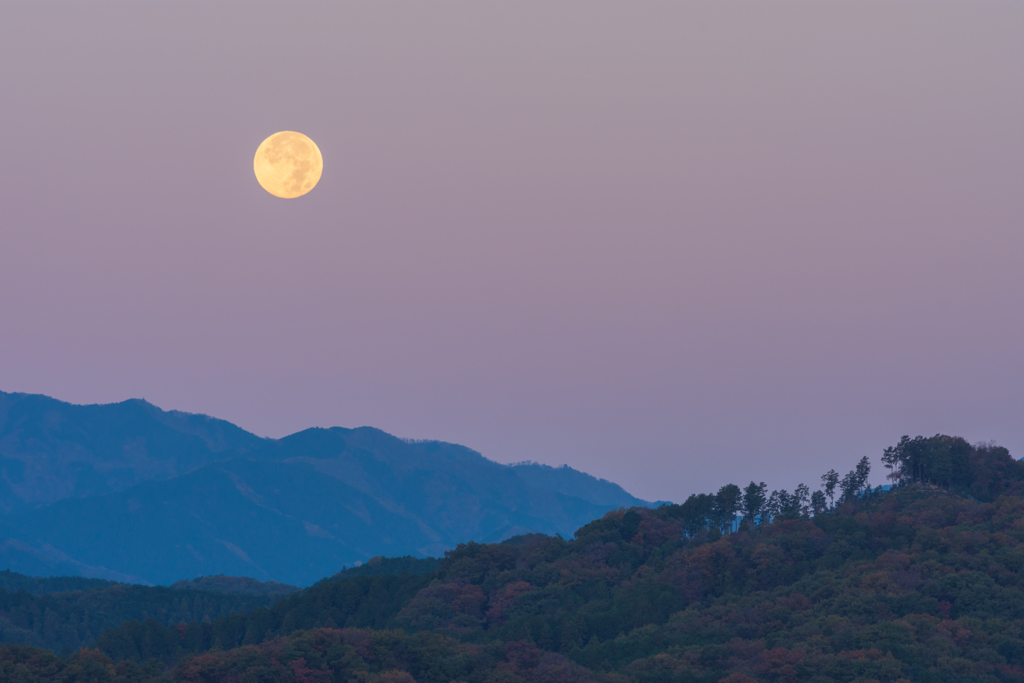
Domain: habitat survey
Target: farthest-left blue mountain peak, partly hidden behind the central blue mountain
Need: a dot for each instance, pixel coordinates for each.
(51, 450)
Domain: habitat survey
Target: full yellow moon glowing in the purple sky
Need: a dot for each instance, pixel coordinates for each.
(288, 164)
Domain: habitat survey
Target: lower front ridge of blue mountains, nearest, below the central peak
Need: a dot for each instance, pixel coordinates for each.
(241, 518)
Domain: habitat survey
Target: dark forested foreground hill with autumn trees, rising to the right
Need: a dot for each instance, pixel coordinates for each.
(922, 583)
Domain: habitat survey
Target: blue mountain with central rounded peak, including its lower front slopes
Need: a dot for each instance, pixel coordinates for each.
(297, 520)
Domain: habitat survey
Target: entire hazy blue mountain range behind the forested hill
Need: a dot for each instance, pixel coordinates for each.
(129, 492)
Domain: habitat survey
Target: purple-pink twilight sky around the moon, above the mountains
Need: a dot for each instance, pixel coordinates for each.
(671, 244)
